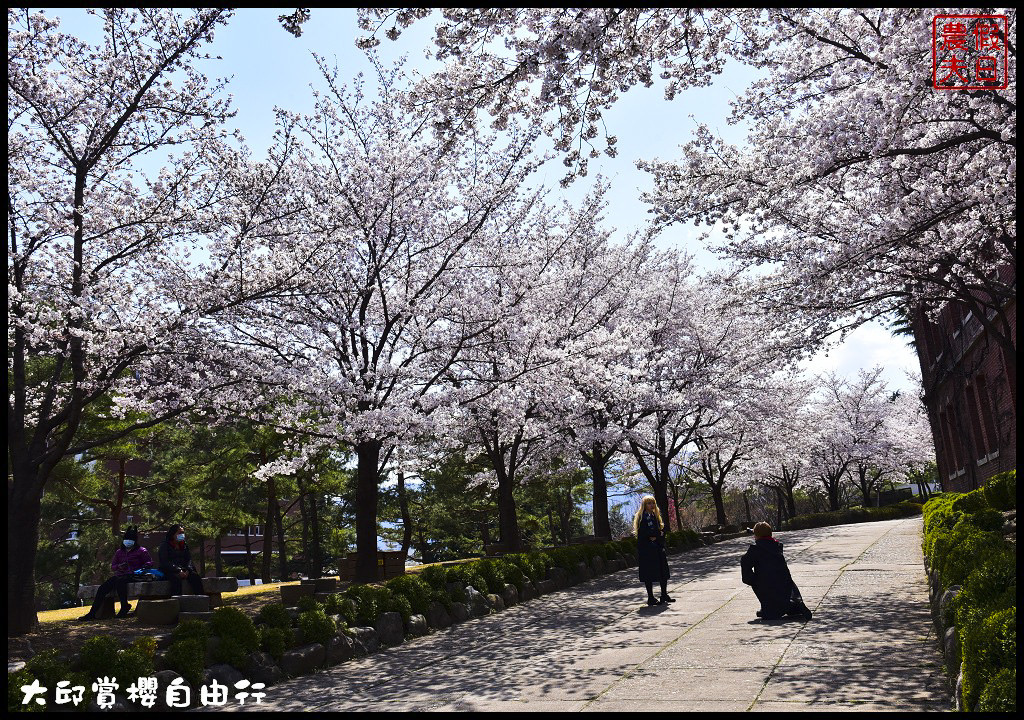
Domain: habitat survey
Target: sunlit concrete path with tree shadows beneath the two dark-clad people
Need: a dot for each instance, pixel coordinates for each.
(596, 647)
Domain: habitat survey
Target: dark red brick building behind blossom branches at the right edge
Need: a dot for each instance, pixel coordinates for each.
(971, 393)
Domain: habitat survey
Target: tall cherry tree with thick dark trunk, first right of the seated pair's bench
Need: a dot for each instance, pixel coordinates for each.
(394, 299)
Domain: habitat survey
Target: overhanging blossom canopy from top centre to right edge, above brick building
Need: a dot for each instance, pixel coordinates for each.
(861, 190)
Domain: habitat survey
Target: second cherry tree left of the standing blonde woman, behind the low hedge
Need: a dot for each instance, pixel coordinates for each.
(551, 282)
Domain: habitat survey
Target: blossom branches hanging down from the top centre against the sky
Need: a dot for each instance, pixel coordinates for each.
(567, 66)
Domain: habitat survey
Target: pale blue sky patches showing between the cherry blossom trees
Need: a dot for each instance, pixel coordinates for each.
(270, 68)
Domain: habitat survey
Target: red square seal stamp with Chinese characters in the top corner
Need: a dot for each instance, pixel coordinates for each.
(970, 53)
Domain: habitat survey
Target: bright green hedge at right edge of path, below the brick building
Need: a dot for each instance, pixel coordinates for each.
(965, 547)
